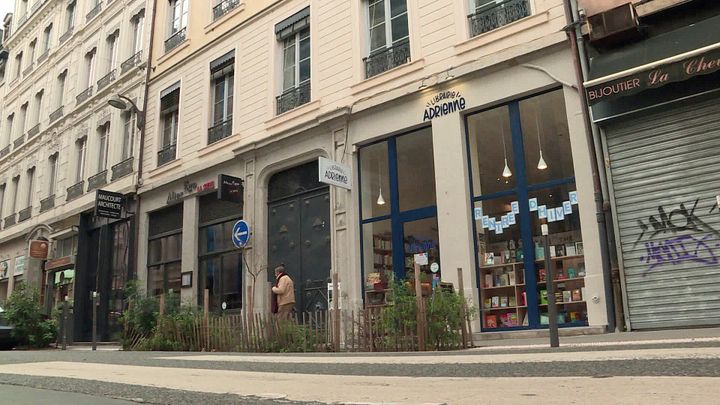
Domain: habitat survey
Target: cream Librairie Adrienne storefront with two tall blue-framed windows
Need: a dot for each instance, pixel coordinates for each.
(466, 174)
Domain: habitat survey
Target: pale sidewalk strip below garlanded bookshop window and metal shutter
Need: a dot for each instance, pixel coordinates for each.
(609, 339)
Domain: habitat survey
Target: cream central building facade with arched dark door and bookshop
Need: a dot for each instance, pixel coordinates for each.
(460, 123)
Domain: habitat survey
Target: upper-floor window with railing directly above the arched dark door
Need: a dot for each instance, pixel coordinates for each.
(294, 34)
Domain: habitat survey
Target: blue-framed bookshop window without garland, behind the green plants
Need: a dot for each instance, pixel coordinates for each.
(399, 213)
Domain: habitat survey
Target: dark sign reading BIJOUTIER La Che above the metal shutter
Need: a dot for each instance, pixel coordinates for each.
(706, 63)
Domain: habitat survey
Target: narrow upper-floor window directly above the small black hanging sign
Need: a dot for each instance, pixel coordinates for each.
(222, 71)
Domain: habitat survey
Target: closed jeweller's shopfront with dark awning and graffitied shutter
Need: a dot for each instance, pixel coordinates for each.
(653, 89)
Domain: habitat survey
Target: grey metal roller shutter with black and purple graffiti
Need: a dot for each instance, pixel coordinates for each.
(665, 169)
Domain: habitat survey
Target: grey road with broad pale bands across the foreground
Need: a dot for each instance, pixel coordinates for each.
(669, 371)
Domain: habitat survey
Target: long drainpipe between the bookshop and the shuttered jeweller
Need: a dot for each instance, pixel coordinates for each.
(592, 133)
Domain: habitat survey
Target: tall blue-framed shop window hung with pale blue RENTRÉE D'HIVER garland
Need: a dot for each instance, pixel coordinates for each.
(522, 177)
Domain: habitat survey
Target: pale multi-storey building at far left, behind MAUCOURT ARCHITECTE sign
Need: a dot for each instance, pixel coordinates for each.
(61, 142)
